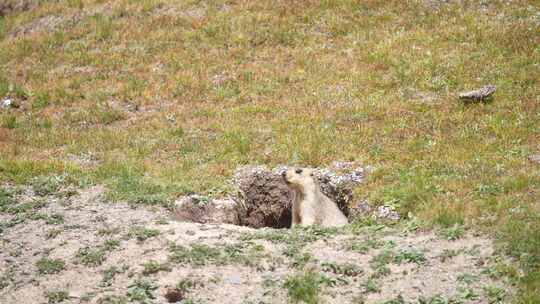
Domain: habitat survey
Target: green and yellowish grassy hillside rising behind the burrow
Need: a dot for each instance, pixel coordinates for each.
(156, 98)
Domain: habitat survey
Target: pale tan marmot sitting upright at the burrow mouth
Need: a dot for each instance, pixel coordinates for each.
(310, 205)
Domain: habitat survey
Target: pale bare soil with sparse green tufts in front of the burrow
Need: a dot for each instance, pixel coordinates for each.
(83, 249)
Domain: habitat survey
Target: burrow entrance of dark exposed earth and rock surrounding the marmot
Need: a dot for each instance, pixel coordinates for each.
(263, 199)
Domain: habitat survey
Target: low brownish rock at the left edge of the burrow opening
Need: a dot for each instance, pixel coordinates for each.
(199, 209)
